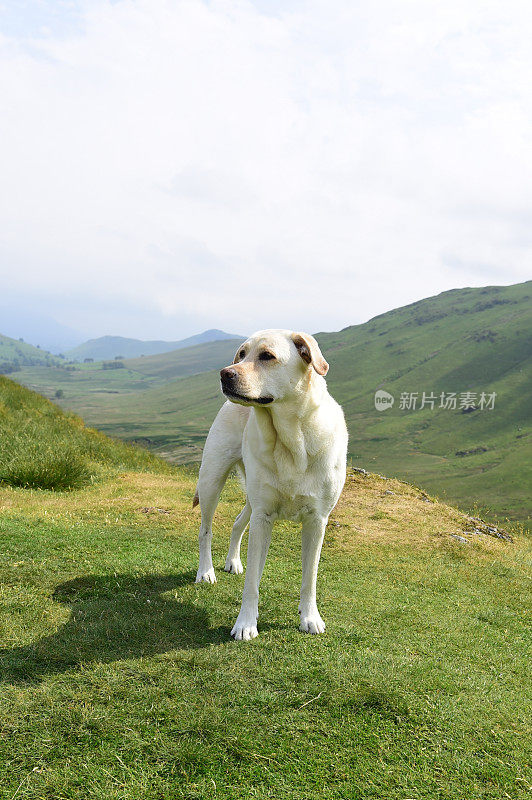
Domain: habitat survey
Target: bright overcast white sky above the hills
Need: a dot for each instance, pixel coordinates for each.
(174, 165)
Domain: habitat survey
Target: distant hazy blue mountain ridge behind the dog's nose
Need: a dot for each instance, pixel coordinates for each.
(109, 347)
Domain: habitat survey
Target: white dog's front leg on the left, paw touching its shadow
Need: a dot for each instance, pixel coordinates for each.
(260, 534)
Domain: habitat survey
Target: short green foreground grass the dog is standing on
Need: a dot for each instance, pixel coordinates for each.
(119, 679)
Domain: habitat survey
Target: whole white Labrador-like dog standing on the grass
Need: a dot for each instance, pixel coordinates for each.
(287, 438)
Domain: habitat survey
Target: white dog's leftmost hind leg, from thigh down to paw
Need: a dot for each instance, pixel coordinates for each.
(223, 449)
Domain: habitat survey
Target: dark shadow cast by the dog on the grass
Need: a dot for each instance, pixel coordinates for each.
(113, 617)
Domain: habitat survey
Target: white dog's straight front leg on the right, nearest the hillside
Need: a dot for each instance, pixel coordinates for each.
(311, 541)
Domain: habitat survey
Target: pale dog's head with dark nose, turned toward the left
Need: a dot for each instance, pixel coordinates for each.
(272, 365)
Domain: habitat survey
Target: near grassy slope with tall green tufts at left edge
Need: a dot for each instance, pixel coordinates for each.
(42, 447)
